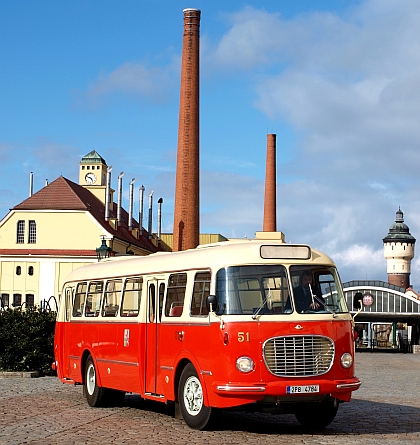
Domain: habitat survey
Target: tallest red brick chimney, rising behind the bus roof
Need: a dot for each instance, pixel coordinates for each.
(187, 208)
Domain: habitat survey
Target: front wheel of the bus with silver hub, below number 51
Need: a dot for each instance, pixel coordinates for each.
(191, 399)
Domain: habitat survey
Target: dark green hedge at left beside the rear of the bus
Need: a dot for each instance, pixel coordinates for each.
(27, 340)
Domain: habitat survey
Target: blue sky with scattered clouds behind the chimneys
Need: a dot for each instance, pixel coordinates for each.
(337, 81)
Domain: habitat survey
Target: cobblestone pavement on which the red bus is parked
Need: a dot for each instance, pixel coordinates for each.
(385, 410)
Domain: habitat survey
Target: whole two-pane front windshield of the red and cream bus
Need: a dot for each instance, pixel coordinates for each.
(266, 289)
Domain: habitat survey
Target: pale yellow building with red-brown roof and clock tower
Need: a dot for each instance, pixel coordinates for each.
(58, 229)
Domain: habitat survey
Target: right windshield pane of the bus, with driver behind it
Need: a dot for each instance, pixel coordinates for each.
(317, 289)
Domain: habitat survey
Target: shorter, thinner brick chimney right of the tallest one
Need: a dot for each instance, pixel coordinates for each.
(270, 221)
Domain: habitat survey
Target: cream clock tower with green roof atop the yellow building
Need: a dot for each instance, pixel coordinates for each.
(92, 174)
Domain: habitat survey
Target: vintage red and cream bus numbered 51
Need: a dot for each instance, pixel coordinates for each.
(232, 325)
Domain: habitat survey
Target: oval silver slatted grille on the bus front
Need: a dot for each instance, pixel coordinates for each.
(297, 356)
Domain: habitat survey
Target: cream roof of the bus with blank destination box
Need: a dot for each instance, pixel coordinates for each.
(207, 256)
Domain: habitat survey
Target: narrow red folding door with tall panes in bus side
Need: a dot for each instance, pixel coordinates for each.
(155, 294)
